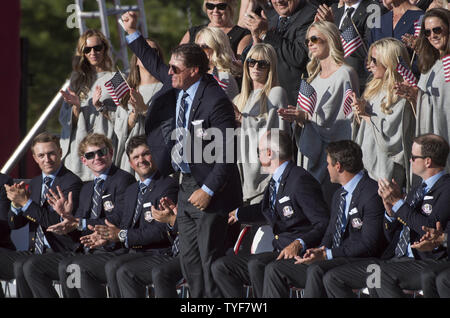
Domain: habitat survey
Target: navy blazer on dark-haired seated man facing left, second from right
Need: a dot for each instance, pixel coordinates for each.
(366, 208)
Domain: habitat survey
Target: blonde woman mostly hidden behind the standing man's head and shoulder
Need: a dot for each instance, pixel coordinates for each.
(217, 48)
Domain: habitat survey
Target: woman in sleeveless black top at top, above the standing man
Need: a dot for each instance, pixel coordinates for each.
(221, 15)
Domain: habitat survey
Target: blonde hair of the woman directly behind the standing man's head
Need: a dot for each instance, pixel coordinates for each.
(222, 56)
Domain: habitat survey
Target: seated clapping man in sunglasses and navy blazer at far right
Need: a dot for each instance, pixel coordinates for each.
(403, 260)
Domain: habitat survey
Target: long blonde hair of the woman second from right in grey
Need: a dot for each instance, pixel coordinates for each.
(388, 51)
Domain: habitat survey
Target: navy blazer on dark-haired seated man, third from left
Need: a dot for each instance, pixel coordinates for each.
(146, 233)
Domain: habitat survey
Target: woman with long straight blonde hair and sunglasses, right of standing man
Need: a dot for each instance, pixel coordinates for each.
(256, 109)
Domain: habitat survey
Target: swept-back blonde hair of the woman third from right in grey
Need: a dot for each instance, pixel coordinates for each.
(332, 36)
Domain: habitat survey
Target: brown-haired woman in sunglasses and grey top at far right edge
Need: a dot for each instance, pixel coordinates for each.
(432, 94)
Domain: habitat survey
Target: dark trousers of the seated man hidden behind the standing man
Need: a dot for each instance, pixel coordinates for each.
(161, 270)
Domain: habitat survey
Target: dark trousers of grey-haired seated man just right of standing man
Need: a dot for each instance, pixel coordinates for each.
(232, 272)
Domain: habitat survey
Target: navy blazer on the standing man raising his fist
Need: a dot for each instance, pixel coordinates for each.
(211, 108)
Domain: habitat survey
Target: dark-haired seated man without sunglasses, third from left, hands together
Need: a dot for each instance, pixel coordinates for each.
(130, 224)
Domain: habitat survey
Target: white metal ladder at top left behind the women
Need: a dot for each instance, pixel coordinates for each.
(121, 53)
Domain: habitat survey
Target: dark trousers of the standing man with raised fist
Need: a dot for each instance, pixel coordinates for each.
(202, 237)
